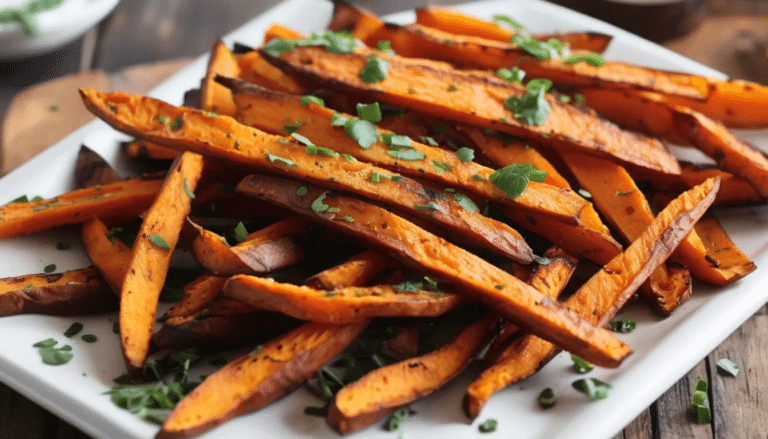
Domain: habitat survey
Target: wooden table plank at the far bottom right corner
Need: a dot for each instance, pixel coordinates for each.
(739, 404)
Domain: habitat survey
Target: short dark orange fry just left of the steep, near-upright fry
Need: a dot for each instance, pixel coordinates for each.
(107, 252)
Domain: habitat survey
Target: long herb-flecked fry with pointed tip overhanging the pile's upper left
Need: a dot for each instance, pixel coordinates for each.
(223, 137)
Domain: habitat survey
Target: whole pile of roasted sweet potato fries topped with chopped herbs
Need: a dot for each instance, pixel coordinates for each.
(389, 137)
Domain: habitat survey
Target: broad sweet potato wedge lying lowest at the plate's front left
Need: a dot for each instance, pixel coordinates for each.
(256, 379)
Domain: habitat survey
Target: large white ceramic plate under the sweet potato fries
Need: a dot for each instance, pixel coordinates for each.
(665, 350)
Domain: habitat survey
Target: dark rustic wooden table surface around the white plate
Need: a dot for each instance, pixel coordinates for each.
(148, 31)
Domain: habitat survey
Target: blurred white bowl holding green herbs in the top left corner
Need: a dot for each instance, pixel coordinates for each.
(56, 27)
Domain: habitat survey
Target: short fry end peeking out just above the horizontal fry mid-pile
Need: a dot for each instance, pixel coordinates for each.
(359, 270)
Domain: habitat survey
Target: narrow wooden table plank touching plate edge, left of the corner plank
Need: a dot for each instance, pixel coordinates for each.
(673, 415)
